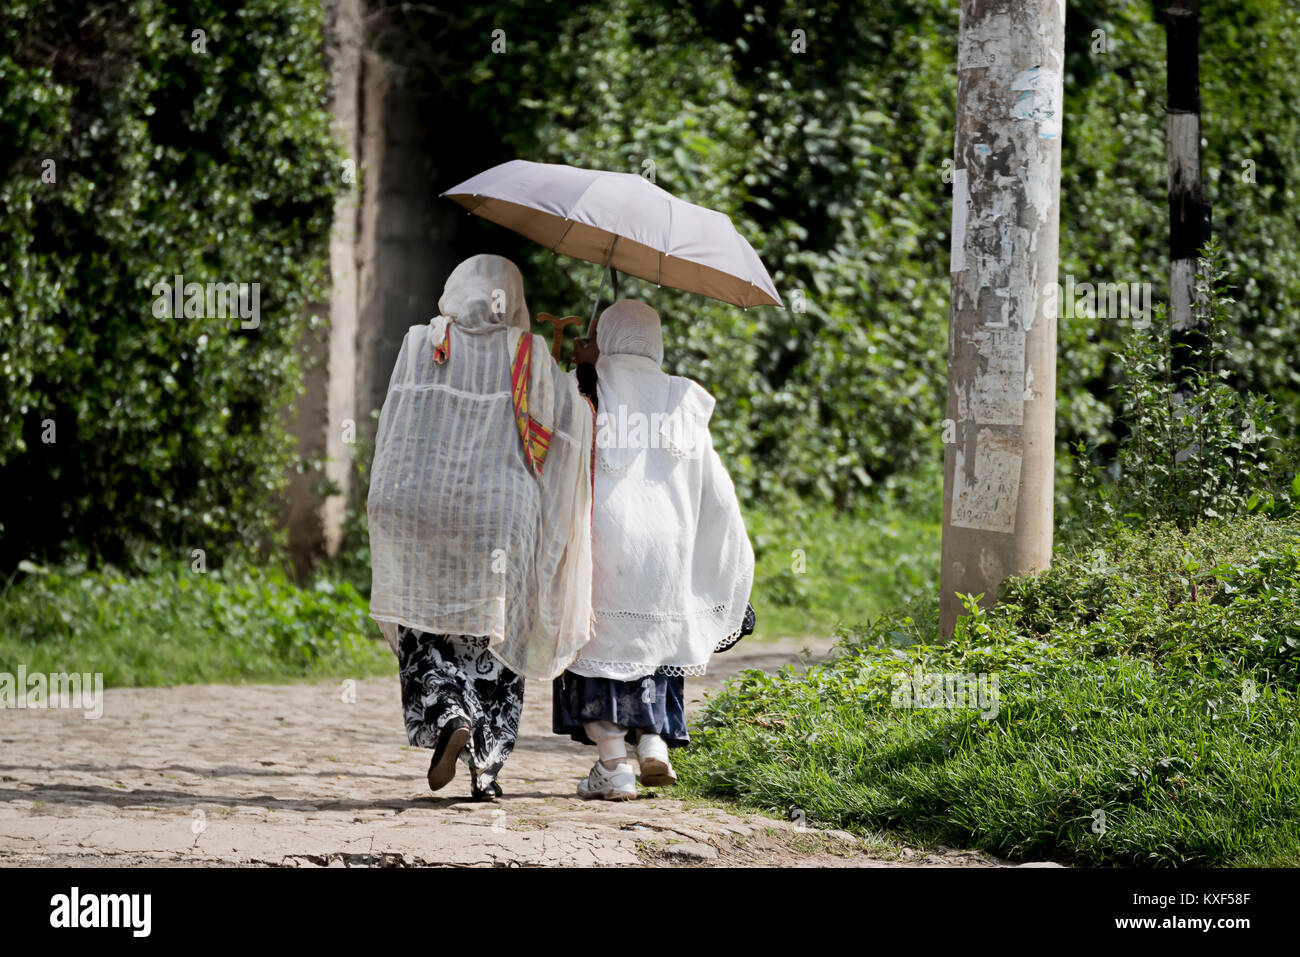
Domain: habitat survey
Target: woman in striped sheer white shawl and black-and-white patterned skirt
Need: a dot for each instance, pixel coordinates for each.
(480, 521)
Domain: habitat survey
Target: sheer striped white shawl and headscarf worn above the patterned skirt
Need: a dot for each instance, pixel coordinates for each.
(465, 538)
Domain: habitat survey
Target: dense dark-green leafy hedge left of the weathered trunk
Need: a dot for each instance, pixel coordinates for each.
(174, 154)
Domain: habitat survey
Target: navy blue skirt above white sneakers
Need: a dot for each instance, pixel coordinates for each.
(653, 704)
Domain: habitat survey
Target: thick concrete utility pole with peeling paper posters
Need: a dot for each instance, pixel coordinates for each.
(1000, 432)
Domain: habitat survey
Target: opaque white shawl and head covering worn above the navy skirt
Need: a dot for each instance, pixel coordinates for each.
(671, 561)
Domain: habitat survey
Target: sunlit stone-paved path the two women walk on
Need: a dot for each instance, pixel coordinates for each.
(296, 776)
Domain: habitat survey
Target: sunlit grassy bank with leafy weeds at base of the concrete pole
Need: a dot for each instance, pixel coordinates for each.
(1147, 714)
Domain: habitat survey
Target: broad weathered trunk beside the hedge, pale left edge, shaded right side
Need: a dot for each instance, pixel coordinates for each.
(393, 245)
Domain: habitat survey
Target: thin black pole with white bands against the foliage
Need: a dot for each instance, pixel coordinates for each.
(1189, 213)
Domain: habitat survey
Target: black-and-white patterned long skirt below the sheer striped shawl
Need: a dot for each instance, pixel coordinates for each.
(447, 677)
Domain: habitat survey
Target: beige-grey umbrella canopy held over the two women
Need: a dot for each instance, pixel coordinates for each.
(623, 222)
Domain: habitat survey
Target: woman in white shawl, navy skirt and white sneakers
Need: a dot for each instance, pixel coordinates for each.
(673, 566)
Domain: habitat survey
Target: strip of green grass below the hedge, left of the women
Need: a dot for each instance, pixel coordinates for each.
(174, 626)
